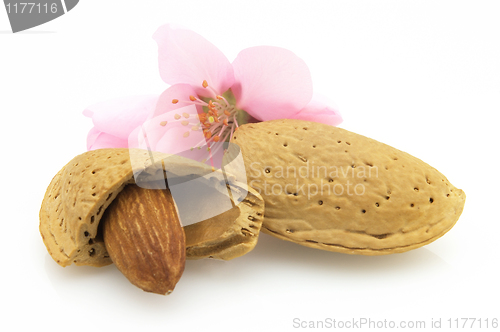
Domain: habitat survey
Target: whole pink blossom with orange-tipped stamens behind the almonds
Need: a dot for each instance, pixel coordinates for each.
(209, 96)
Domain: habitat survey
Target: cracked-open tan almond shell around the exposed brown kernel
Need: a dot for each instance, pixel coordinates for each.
(80, 193)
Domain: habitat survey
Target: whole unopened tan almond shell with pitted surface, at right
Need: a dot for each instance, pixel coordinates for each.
(405, 204)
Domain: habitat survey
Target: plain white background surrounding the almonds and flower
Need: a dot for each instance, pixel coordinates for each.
(422, 76)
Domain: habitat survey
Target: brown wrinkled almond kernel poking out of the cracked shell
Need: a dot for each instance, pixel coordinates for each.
(144, 238)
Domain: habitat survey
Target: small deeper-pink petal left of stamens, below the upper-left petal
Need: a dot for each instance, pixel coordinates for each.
(181, 92)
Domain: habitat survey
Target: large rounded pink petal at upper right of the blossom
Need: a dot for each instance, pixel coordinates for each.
(271, 82)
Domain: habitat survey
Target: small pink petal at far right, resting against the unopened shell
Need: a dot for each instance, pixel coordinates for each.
(320, 109)
